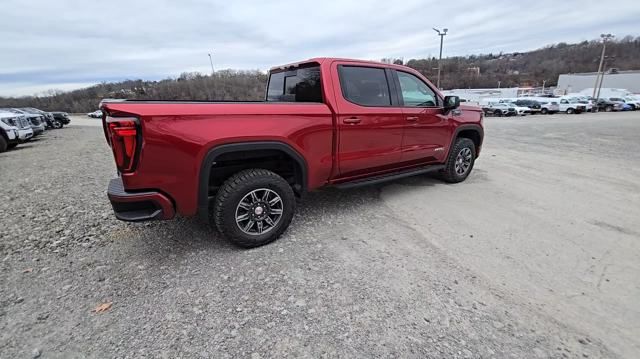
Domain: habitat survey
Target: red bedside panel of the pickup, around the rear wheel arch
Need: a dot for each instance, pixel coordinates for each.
(177, 137)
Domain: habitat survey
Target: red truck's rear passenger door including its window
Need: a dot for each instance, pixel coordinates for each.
(370, 129)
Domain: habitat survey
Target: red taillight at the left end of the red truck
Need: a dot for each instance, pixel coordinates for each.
(123, 133)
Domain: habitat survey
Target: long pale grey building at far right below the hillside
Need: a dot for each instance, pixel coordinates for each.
(571, 83)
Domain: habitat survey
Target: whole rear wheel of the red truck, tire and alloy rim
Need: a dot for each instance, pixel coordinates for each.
(254, 207)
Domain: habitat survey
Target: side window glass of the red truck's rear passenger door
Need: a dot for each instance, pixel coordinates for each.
(365, 86)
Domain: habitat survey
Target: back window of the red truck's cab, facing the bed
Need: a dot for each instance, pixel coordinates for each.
(297, 85)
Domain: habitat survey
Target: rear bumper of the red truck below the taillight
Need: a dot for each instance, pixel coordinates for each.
(138, 206)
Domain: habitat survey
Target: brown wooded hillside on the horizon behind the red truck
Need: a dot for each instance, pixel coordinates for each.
(474, 71)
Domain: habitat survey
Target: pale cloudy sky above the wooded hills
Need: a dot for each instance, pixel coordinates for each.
(65, 45)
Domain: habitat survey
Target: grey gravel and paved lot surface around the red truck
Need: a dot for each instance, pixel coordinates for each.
(536, 255)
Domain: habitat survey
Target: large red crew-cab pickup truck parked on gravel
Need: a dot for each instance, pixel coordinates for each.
(324, 122)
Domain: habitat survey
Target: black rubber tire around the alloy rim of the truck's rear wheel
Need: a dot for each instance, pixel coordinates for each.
(234, 190)
